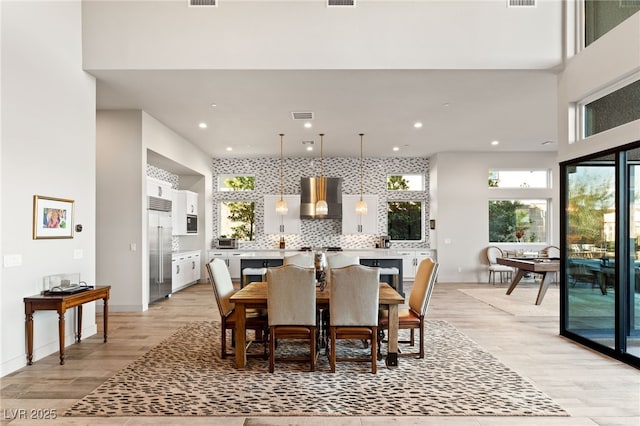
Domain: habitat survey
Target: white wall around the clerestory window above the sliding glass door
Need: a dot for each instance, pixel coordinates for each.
(585, 75)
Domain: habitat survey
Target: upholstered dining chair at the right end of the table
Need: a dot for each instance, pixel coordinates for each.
(412, 318)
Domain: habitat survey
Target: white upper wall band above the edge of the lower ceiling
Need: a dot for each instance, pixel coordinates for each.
(393, 34)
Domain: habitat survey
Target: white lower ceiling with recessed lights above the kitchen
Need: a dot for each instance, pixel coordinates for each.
(460, 110)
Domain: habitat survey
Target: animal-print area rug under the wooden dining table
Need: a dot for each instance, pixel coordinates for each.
(185, 376)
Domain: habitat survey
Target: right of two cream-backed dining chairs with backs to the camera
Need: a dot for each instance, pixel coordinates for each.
(353, 310)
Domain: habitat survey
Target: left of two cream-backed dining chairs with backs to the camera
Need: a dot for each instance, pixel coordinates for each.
(291, 302)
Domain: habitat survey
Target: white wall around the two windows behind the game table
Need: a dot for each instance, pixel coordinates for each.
(461, 210)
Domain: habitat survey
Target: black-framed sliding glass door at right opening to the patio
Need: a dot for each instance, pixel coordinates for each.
(600, 300)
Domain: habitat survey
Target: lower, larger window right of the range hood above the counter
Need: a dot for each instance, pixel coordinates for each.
(404, 220)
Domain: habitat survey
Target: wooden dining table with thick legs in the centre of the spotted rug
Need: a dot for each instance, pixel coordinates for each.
(254, 295)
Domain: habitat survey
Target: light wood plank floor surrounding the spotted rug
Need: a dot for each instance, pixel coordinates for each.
(593, 389)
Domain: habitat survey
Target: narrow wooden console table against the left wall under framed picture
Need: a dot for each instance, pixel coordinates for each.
(61, 303)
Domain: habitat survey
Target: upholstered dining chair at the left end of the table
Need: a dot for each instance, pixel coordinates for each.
(223, 290)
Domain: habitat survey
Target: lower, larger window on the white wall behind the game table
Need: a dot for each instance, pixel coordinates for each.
(523, 221)
